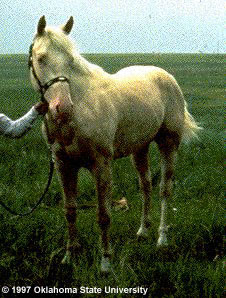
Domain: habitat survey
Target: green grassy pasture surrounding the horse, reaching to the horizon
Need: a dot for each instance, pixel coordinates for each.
(192, 265)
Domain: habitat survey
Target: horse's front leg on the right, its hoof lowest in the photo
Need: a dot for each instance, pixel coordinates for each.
(103, 176)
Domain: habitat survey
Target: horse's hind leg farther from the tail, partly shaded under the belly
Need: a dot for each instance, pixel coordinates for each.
(142, 165)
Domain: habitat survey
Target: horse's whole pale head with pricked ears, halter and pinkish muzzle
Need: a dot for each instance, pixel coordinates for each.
(50, 56)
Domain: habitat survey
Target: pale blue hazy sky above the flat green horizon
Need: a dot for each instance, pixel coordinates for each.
(119, 26)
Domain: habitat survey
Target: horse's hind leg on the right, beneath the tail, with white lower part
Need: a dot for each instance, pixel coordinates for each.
(168, 145)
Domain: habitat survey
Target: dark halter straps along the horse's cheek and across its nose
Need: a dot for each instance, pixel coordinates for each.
(45, 87)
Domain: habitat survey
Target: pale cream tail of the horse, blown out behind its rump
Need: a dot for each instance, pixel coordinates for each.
(191, 128)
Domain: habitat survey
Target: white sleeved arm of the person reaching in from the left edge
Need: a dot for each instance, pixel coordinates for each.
(19, 127)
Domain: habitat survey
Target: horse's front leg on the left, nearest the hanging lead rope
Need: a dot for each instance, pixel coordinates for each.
(68, 175)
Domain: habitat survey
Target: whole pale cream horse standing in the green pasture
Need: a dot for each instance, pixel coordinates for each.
(95, 117)
